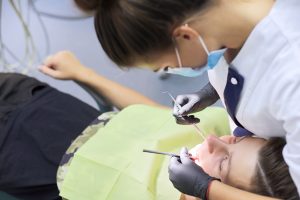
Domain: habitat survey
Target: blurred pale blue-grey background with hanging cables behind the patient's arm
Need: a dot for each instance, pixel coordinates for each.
(30, 30)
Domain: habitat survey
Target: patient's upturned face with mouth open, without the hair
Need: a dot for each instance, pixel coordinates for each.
(231, 159)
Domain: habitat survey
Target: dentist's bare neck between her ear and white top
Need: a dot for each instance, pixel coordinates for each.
(230, 23)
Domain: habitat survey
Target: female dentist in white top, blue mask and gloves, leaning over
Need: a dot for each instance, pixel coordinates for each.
(259, 87)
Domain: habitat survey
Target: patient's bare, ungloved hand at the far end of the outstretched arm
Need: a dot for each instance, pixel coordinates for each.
(65, 66)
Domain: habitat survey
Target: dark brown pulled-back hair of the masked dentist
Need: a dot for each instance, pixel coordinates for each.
(129, 30)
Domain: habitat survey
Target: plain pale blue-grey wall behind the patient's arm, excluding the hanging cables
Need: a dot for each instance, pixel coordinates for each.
(79, 37)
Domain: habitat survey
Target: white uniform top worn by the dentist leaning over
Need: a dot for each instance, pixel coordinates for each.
(269, 61)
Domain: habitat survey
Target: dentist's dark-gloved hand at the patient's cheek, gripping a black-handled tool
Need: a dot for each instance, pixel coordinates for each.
(188, 177)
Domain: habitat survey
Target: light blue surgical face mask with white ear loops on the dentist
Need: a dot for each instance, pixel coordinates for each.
(212, 61)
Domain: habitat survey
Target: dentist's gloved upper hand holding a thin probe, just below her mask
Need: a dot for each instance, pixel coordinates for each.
(191, 103)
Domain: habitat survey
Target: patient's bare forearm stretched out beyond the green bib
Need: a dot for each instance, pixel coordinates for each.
(118, 95)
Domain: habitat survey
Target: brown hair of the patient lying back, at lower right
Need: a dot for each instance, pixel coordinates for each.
(272, 177)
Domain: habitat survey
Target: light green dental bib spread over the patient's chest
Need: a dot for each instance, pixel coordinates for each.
(112, 166)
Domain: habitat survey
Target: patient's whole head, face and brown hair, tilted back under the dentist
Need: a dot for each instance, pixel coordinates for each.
(249, 163)
